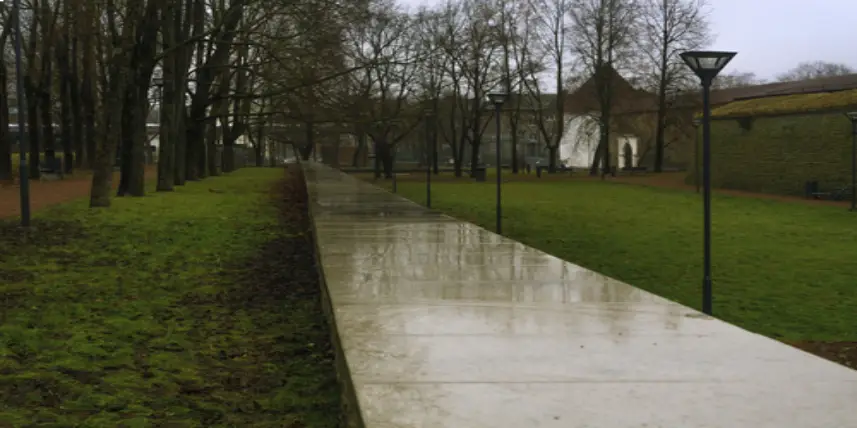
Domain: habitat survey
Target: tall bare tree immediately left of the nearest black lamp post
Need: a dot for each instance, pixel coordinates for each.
(668, 28)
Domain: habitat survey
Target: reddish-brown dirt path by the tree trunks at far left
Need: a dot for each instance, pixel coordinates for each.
(46, 193)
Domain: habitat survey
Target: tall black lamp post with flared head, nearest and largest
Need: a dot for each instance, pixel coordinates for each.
(706, 65)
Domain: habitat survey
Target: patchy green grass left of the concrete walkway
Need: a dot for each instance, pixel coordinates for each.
(197, 308)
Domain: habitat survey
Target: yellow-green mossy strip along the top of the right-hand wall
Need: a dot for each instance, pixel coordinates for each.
(788, 104)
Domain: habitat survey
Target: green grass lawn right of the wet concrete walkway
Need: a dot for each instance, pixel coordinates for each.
(785, 270)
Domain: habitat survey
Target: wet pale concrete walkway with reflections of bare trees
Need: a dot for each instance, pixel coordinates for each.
(444, 324)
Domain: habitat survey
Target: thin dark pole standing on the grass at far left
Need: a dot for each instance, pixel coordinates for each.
(23, 145)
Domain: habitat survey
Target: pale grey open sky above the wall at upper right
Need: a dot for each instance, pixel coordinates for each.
(772, 36)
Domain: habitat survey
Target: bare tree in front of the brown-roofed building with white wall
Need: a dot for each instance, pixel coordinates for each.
(603, 32)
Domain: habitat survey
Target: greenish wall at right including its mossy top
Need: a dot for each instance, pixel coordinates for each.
(776, 144)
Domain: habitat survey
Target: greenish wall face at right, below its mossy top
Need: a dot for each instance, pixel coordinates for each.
(778, 155)
